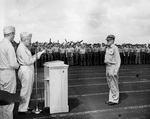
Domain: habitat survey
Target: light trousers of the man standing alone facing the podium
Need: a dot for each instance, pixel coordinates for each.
(112, 81)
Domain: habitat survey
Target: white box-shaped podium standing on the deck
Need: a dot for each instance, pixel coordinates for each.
(56, 86)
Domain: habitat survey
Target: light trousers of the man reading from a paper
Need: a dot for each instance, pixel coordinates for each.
(26, 76)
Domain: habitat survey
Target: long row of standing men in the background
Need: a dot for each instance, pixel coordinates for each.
(88, 54)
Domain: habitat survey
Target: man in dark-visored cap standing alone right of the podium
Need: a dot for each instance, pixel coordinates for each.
(113, 61)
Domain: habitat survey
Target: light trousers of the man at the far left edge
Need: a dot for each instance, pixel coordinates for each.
(7, 83)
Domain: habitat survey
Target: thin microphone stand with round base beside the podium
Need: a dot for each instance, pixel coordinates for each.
(36, 110)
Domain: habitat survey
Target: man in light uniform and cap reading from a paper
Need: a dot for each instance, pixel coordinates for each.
(26, 70)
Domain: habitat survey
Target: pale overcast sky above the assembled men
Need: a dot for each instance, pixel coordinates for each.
(75, 20)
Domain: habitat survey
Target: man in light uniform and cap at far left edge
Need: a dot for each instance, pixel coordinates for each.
(8, 64)
